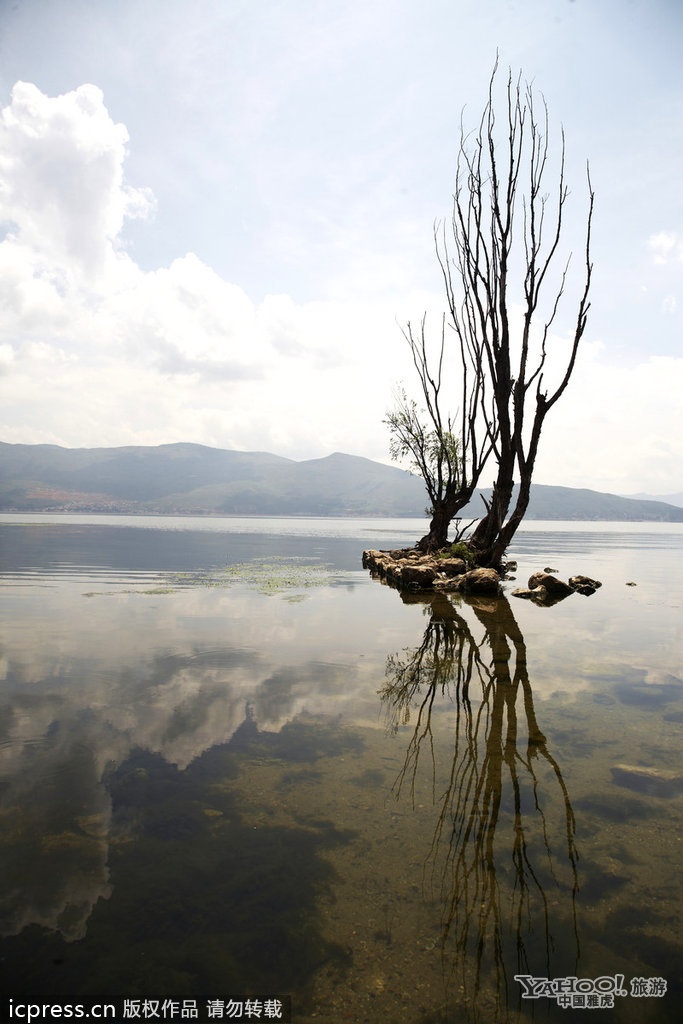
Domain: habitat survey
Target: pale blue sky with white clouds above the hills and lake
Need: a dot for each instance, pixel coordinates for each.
(217, 216)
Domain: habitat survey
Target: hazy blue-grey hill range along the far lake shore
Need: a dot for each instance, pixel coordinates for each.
(193, 480)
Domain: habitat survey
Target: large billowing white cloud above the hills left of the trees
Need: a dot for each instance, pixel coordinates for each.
(96, 351)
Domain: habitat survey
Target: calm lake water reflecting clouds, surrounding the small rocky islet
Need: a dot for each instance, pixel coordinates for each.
(233, 763)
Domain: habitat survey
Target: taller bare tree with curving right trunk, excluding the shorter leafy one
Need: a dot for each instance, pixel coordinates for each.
(506, 251)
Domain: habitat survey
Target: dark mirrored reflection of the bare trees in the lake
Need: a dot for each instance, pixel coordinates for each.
(503, 855)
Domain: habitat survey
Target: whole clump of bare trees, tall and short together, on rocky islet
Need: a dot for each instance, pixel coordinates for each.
(504, 278)
